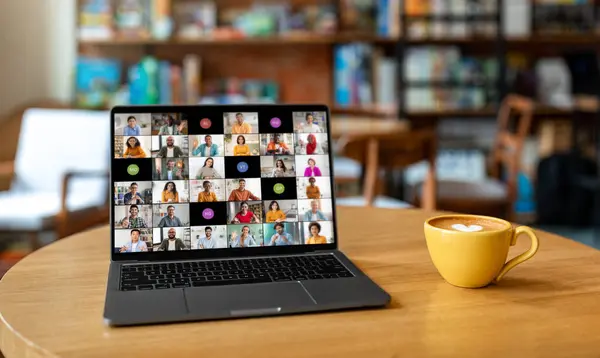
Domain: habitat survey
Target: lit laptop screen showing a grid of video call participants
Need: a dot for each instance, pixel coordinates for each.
(220, 178)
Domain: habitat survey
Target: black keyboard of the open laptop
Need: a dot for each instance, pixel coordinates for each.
(230, 272)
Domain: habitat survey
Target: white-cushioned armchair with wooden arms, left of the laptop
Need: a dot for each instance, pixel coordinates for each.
(59, 177)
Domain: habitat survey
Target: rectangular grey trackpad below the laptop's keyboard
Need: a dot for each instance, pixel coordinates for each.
(244, 300)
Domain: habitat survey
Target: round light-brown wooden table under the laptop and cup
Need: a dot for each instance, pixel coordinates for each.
(51, 305)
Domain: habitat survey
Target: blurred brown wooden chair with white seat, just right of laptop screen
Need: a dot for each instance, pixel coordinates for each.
(384, 152)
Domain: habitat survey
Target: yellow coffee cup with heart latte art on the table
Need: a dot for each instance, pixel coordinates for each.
(471, 250)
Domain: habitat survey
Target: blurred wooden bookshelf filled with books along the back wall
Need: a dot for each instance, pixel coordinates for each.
(428, 59)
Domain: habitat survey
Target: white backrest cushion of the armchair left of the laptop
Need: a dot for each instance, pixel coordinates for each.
(54, 141)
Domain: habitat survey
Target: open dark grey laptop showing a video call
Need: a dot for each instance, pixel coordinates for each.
(225, 212)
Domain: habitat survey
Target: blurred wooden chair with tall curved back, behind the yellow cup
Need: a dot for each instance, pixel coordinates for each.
(496, 195)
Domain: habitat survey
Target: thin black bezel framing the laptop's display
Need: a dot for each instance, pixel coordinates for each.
(225, 252)
